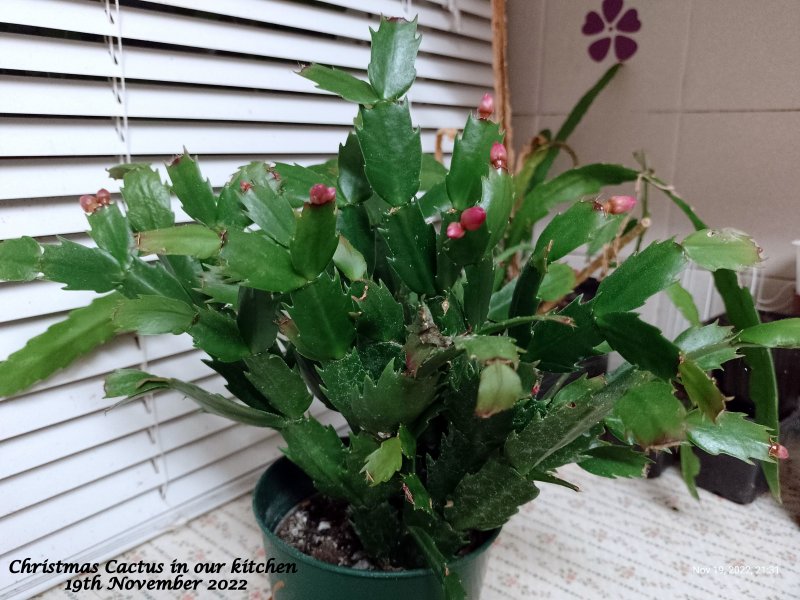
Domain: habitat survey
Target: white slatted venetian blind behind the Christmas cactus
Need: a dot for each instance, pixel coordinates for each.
(85, 84)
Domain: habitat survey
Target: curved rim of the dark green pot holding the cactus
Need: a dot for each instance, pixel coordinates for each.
(349, 571)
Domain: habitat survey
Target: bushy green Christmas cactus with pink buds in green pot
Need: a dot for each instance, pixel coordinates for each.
(415, 310)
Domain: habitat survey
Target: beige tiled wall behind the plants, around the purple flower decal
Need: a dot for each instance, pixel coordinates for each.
(712, 95)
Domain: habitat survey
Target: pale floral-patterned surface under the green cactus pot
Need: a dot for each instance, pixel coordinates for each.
(621, 540)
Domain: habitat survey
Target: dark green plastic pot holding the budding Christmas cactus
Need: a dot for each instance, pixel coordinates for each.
(279, 490)
